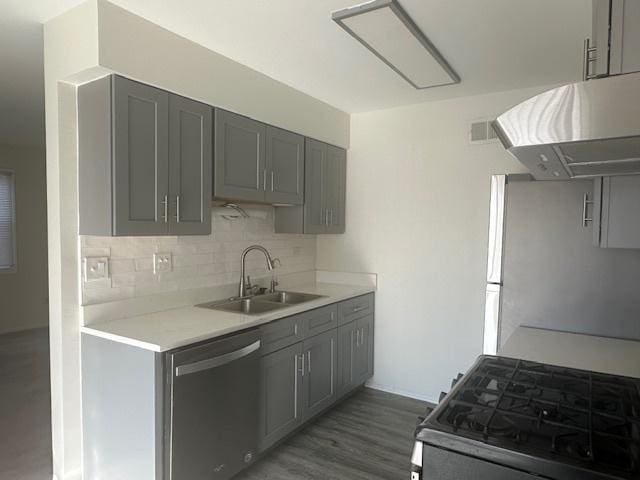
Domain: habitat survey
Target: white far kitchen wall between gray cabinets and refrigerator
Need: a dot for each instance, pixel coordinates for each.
(417, 215)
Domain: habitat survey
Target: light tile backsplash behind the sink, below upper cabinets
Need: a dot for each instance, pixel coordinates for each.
(198, 261)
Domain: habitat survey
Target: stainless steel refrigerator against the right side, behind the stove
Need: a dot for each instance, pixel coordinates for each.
(543, 269)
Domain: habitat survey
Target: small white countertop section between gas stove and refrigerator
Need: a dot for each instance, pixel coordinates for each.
(586, 352)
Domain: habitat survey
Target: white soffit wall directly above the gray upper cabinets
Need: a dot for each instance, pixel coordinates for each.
(144, 51)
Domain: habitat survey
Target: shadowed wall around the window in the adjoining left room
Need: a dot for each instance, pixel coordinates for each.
(23, 293)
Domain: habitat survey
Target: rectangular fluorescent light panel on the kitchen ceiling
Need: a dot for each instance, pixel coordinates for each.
(385, 28)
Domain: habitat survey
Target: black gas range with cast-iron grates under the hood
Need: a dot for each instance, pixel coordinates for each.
(515, 419)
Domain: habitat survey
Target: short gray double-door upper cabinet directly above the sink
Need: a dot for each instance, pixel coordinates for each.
(255, 162)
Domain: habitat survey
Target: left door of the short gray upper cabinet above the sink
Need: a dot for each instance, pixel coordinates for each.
(239, 157)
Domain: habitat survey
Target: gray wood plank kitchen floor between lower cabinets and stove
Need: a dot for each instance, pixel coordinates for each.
(367, 437)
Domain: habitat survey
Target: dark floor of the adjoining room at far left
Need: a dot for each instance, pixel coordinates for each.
(25, 406)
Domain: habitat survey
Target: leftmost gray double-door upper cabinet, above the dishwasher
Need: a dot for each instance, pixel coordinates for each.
(144, 160)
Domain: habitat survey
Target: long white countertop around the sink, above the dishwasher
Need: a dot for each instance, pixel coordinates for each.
(169, 329)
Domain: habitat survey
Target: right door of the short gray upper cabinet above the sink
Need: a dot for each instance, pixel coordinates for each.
(285, 167)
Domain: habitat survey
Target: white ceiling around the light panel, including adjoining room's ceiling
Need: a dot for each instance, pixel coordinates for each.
(494, 45)
